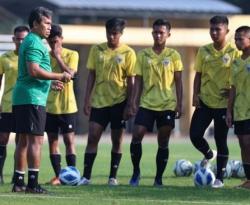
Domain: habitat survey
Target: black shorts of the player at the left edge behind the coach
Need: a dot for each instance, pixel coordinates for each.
(7, 122)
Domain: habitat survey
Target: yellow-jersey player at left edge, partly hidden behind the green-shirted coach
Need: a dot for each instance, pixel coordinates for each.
(8, 68)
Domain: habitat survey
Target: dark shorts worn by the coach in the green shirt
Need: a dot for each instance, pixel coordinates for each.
(30, 119)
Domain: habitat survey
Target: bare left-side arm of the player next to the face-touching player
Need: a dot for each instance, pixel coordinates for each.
(88, 91)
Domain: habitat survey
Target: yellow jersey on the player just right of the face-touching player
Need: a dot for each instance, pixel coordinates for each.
(112, 67)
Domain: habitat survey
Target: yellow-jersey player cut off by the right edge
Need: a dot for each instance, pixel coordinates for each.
(239, 98)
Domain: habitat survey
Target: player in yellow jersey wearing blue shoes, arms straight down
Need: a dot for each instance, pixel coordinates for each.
(158, 73)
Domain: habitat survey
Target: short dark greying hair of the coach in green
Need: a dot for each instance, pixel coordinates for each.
(37, 13)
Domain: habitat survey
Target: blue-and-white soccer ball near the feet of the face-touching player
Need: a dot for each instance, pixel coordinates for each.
(69, 175)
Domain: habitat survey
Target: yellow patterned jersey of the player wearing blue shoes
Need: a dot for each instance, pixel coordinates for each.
(157, 72)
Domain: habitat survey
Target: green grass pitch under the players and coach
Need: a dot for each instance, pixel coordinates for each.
(176, 190)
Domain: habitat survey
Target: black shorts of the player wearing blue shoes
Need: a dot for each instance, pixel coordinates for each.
(146, 118)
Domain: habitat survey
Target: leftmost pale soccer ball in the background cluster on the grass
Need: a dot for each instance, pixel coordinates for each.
(182, 168)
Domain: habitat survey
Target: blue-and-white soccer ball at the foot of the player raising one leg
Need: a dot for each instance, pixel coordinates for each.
(204, 177)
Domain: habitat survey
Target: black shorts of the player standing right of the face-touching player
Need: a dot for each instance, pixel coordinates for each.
(112, 114)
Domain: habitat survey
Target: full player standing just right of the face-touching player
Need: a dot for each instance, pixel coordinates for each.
(110, 81)
